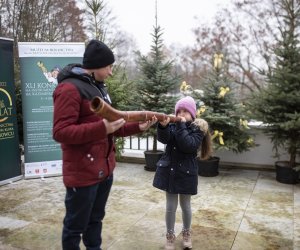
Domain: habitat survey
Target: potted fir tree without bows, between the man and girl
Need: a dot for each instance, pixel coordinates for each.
(154, 90)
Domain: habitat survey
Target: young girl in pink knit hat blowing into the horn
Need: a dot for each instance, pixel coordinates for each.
(177, 170)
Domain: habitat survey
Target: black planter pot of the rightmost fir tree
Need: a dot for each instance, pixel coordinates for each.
(286, 174)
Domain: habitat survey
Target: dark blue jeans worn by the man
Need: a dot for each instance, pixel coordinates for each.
(85, 210)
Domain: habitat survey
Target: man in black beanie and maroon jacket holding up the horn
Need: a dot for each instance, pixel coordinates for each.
(87, 145)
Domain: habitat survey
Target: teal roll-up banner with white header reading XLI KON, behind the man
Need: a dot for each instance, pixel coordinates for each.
(40, 63)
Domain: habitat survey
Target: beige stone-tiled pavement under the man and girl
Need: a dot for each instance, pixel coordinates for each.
(238, 209)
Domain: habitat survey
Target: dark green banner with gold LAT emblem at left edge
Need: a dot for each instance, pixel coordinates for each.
(10, 161)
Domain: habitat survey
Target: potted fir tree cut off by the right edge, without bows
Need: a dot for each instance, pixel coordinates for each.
(278, 104)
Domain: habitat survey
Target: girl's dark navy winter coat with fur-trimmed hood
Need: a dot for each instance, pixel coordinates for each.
(177, 170)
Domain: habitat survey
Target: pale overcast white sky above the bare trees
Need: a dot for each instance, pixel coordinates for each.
(176, 18)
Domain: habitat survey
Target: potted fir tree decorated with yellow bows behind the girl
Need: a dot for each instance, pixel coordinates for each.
(218, 105)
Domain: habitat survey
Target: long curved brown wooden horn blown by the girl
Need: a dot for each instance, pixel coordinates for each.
(106, 111)
